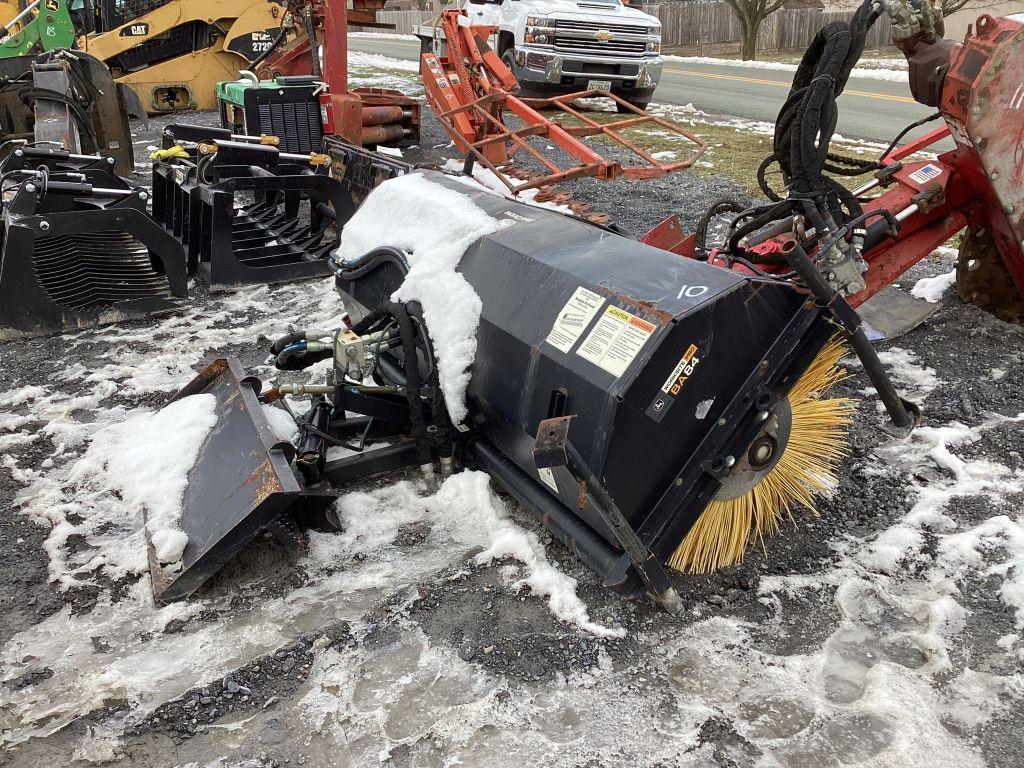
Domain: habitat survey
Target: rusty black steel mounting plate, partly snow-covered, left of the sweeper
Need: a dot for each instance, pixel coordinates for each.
(241, 486)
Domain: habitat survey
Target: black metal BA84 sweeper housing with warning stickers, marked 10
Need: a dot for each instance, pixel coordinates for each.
(669, 366)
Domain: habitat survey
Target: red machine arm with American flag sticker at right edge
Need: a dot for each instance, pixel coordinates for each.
(978, 87)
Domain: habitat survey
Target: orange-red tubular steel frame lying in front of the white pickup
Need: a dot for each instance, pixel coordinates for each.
(471, 91)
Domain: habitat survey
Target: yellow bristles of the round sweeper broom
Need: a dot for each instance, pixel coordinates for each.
(817, 445)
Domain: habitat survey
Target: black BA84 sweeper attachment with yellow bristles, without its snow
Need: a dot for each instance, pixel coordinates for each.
(618, 393)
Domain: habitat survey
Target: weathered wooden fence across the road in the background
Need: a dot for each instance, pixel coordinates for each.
(706, 27)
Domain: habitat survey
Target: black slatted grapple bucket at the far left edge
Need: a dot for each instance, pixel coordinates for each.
(78, 246)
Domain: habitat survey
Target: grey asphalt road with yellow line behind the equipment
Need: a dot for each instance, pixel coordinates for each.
(873, 110)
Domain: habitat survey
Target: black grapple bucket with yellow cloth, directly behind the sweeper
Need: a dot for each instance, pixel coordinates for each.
(247, 212)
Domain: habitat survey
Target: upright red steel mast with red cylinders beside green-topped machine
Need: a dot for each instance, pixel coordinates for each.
(364, 116)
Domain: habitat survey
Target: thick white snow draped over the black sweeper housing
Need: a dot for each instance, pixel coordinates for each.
(394, 215)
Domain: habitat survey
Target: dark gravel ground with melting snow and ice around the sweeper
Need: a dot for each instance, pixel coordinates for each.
(858, 638)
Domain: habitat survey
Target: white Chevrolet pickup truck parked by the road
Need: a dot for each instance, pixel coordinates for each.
(561, 47)
